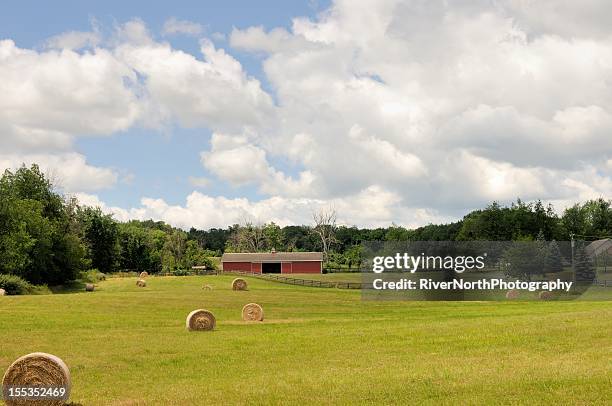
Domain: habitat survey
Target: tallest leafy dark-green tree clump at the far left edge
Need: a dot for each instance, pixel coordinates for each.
(38, 240)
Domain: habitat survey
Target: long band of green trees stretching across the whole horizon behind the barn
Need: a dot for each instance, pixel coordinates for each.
(46, 238)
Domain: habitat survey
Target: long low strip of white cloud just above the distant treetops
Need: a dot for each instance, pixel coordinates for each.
(370, 207)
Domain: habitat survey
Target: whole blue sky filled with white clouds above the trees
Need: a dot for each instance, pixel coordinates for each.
(206, 114)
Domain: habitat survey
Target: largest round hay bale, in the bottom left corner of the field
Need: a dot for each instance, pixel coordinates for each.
(41, 370)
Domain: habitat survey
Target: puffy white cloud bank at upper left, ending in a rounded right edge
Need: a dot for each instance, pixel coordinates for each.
(51, 97)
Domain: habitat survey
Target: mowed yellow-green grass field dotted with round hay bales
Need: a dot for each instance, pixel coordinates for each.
(126, 346)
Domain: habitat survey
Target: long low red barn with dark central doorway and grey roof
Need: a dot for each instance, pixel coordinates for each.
(273, 262)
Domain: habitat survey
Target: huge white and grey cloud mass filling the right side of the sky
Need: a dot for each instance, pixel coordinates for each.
(444, 104)
